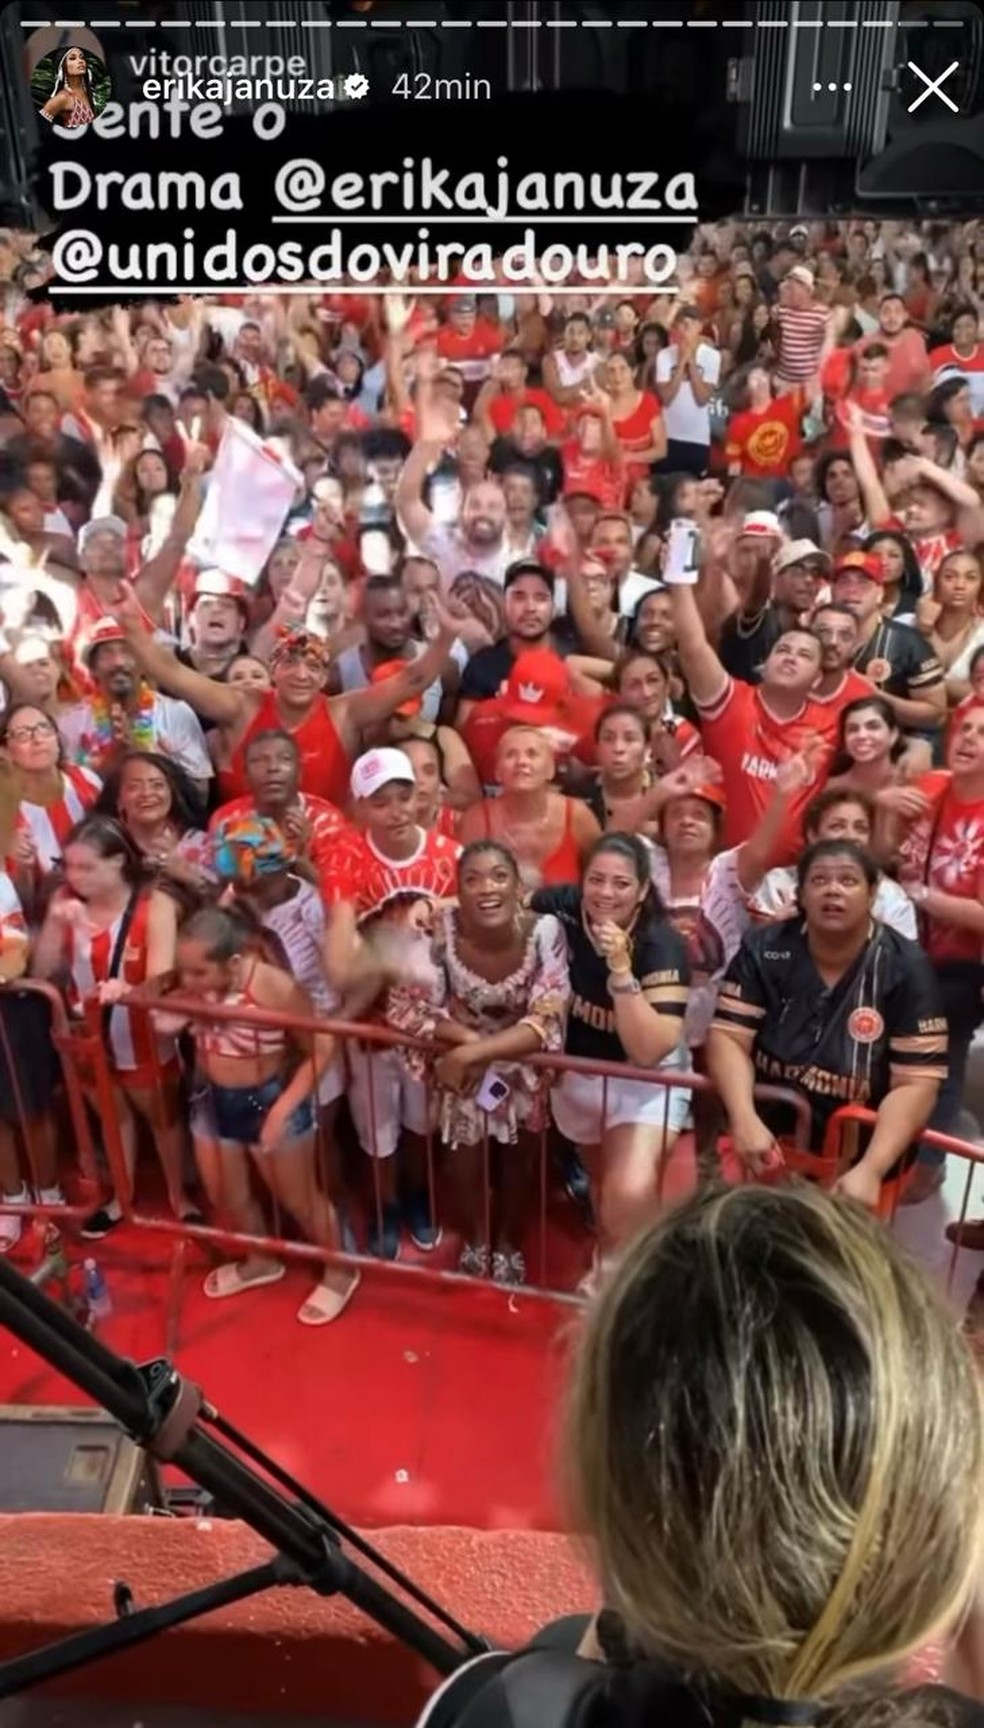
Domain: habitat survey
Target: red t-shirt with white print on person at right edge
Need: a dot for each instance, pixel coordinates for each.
(947, 851)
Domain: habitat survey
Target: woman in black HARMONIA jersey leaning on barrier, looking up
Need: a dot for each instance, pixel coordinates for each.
(838, 1008)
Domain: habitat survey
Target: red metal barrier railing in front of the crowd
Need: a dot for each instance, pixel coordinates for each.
(89, 1074)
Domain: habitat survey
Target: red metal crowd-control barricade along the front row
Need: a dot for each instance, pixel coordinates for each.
(89, 1074)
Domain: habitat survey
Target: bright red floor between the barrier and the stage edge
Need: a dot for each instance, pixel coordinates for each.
(425, 1404)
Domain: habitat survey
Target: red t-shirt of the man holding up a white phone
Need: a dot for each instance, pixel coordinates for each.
(750, 742)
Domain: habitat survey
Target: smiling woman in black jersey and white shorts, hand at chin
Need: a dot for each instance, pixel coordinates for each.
(629, 996)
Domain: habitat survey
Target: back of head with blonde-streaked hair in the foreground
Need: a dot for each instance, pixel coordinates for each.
(777, 1447)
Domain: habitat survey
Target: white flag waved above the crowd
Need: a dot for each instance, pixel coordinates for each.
(252, 490)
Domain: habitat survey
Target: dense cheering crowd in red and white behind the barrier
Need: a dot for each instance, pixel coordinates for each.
(615, 690)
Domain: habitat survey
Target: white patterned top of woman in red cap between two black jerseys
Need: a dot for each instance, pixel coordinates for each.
(712, 925)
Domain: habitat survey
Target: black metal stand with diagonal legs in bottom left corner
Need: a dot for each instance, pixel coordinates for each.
(167, 1416)
